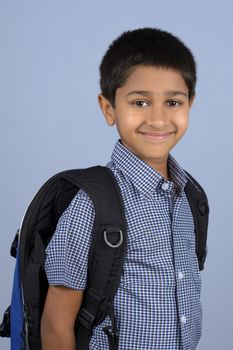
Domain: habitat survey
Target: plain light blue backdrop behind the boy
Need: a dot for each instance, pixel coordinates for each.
(50, 119)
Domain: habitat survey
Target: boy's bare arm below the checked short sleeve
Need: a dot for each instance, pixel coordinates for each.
(57, 324)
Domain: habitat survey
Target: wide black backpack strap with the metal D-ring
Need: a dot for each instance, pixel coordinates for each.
(107, 251)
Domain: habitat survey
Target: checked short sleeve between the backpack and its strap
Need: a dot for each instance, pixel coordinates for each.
(67, 253)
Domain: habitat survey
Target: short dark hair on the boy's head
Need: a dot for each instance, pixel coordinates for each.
(144, 46)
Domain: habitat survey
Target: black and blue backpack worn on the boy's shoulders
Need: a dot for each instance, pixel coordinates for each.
(21, 320)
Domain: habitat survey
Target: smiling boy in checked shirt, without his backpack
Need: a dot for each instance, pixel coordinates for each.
(148, 82)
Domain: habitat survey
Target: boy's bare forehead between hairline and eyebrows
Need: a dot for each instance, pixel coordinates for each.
(155, 79)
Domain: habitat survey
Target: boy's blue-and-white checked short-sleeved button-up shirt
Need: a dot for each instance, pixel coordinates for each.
(157, 305)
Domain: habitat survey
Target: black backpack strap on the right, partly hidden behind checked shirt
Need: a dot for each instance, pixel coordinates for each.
(200, 209)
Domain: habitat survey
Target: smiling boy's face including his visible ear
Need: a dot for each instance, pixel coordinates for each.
(151, 112)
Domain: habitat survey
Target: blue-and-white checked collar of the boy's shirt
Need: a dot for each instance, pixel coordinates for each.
(144, 177)
